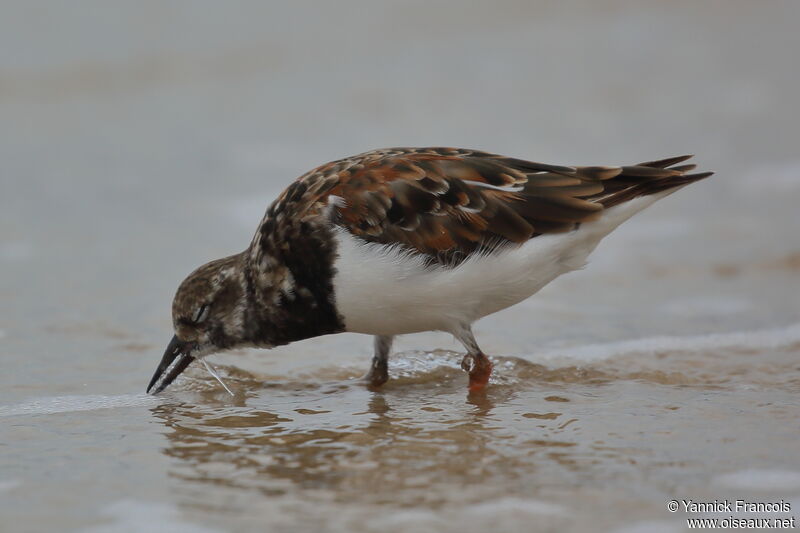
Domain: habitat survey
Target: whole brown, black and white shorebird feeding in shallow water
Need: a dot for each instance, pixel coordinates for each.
(404, 240)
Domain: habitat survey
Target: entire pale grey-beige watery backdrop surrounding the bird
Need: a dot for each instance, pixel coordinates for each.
(141, 139)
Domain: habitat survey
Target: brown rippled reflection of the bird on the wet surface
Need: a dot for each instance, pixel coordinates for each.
(383, 446)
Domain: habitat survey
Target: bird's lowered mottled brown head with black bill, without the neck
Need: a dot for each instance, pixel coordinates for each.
(208, 315)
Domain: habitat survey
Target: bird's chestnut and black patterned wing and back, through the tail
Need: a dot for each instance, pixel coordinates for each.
(447, 203)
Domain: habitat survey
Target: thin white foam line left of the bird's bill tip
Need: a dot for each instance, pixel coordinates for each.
(67, 404)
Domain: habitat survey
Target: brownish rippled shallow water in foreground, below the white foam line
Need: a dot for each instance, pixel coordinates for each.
(599, 444)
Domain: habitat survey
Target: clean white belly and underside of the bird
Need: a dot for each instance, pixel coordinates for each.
(386, 290)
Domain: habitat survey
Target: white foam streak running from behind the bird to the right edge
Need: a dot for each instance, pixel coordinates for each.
(767, 339)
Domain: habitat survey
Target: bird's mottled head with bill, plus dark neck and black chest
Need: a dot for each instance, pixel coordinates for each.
(277, 291)
